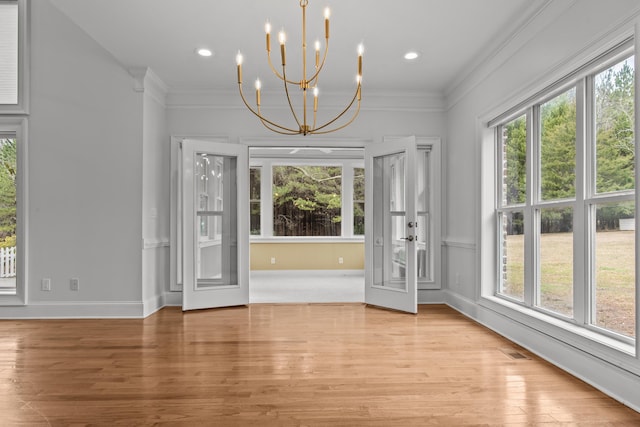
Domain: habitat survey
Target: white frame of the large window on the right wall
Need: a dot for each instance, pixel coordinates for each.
(621, 352)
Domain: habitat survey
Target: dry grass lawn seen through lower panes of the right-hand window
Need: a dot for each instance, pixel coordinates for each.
(614, 291)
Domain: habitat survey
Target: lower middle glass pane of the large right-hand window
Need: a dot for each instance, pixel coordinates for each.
(555, 287)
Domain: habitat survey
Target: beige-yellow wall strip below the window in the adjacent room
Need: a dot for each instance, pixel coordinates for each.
(307, 256)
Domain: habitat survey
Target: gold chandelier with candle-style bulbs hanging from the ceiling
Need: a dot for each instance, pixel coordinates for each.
(304, 124)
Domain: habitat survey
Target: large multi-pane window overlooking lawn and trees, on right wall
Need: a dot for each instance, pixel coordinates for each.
(566, 198)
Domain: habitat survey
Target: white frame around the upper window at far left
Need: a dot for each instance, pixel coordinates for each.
(22, 107)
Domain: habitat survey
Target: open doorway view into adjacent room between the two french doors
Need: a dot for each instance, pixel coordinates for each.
(307, 224)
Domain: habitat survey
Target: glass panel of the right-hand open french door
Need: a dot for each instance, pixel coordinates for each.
(389, 228)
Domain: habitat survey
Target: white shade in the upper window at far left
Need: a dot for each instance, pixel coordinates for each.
(8, 54)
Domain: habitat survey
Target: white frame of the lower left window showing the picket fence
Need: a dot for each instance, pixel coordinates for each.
(17, 128)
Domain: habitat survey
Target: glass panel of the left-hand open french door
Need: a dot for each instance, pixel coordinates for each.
(217, 228)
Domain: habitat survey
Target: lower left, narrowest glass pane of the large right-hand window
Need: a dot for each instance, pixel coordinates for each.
(512, 238)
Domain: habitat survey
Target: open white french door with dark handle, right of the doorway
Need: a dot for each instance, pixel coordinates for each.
(391, 225)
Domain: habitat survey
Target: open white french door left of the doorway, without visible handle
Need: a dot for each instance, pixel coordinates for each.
(215, 224)
